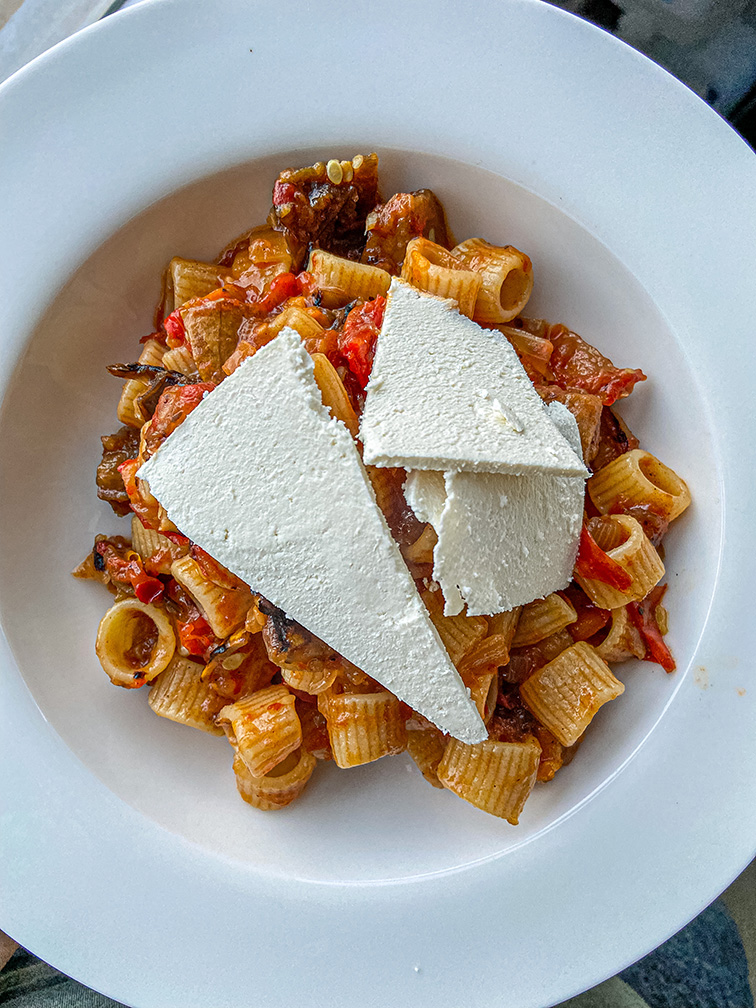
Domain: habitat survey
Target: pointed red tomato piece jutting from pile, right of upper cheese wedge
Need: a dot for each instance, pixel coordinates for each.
(576, 364)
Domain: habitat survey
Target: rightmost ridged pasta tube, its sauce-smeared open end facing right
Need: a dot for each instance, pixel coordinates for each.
(639, 478)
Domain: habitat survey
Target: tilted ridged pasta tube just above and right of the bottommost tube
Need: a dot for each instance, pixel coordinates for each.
(566, 694)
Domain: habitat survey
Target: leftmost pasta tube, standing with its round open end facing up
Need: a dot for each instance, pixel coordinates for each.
(136, 643)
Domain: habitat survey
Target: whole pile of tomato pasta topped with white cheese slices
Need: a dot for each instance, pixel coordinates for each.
(530, 536)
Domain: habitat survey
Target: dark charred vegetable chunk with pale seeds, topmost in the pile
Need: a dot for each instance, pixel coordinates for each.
(326, 206)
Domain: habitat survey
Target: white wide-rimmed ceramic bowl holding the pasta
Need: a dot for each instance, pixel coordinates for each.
(131, 862)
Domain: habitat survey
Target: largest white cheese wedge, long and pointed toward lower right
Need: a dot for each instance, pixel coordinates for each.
(270, 484)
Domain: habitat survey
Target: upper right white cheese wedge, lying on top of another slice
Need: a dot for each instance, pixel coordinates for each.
(447, 395)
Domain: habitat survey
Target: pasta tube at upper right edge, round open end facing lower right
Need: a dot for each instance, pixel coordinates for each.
(507, 280)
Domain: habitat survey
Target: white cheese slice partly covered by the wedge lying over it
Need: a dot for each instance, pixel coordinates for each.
(503, 541)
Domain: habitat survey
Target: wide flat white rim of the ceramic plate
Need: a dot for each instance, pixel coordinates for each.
(550, 919)
